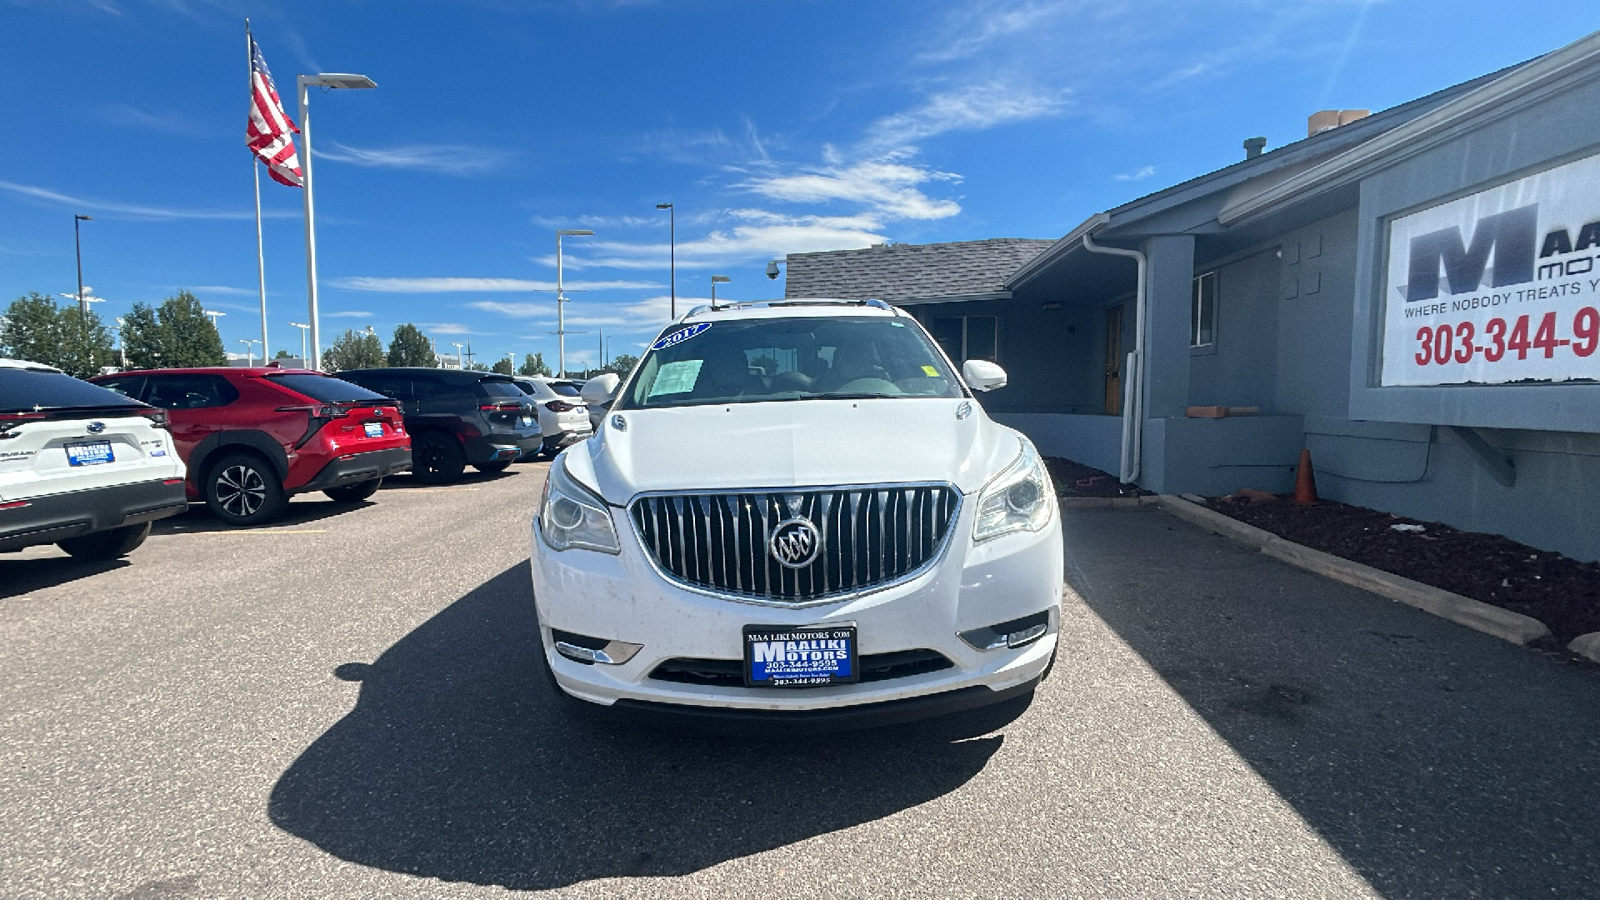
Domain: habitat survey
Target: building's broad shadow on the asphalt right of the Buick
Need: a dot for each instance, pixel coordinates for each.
(1438, 761)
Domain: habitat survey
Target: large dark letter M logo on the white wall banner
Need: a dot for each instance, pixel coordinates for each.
(1511, 236)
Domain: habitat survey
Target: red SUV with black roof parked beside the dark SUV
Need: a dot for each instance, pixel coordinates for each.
(255, 436)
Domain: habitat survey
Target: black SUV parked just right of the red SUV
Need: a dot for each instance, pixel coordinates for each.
(458, 419)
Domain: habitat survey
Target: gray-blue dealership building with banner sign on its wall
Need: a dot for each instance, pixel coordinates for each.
(1412, 295)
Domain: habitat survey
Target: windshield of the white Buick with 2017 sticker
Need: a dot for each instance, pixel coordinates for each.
(790, 360)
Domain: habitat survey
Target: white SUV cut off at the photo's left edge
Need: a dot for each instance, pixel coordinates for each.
(81, 467)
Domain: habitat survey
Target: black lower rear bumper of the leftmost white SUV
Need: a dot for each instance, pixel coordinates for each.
(62, 516)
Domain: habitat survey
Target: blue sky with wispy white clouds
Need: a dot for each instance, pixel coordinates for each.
(774, 127)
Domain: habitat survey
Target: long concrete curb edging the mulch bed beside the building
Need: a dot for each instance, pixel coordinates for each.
(1463, 611)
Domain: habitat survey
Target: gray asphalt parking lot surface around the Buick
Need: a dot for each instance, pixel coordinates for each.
(346, 705)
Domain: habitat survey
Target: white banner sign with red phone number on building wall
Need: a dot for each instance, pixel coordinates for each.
(1502, 286)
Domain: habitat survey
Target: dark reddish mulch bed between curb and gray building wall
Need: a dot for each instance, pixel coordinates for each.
(1559, 592)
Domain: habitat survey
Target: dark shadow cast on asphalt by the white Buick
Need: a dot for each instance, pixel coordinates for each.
(460, 763)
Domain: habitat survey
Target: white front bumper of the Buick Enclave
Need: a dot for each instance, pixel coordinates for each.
(974, 587)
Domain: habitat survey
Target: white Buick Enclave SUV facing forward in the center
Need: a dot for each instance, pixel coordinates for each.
(796, 510)
